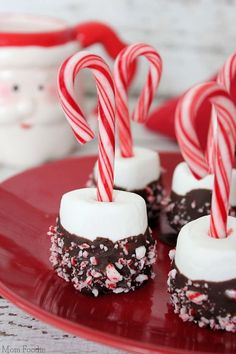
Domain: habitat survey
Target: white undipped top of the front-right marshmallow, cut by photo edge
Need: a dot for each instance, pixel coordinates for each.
(201, 257)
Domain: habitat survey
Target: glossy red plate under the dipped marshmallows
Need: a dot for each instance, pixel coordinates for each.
(141, 322)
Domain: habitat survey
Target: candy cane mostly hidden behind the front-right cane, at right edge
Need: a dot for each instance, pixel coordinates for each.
(226, 77)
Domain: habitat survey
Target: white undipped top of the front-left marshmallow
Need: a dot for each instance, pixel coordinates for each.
(81, 214)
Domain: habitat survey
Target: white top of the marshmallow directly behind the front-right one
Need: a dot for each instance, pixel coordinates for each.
(183, 182)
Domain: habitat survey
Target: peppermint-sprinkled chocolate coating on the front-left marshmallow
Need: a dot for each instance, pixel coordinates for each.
(102, 266)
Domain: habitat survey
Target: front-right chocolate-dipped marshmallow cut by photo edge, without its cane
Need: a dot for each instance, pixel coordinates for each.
(202, 282)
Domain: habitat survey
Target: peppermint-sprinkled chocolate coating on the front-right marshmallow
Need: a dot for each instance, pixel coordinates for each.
(209, 304)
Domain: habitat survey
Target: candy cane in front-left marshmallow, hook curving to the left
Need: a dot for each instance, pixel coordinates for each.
(106, 113)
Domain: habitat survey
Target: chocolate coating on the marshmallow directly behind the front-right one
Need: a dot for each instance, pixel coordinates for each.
(182, 209)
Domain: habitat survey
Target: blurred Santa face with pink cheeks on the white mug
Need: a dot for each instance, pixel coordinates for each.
(28, 98)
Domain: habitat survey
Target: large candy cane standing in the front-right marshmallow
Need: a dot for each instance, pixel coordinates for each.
(224, 135)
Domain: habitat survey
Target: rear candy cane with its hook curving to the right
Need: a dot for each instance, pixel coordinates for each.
(122, 71)
